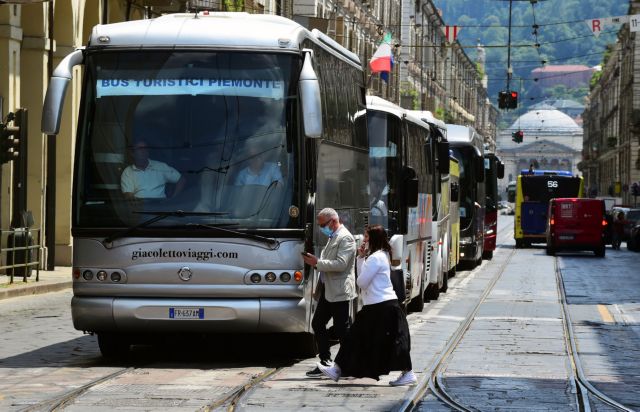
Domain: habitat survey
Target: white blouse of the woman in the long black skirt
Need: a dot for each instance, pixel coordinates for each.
(374, 278)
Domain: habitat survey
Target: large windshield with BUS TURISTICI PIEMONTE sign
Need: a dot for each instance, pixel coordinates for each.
(189, 131)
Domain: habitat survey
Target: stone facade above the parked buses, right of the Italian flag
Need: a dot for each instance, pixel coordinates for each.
(439, 76)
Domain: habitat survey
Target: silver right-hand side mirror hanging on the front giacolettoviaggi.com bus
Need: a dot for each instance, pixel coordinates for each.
(310, 98)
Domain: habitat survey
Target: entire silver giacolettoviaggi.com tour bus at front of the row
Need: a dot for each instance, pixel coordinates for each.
(254, 114)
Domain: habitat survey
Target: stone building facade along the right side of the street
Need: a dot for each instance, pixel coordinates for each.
(611, 149)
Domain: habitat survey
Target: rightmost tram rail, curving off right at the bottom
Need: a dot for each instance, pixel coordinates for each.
(585, 389)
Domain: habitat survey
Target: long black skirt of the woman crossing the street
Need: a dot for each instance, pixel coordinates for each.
(378, 342)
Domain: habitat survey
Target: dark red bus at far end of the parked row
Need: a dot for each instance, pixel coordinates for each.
(494, 170)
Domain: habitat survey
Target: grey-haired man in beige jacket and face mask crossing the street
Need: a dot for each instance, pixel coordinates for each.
(336, 284)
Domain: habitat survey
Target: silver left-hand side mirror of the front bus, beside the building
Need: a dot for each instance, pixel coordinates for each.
(56, 92)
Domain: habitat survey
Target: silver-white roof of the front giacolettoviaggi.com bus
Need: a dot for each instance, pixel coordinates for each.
(212, 29)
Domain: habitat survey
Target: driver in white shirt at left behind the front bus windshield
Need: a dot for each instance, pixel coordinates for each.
(146, 178)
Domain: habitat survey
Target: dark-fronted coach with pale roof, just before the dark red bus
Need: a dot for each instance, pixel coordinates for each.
(468, 148)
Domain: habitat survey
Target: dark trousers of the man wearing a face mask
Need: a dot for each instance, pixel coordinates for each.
(326, 310)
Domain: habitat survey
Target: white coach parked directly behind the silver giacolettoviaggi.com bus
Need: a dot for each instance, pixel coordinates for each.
(402, 185)
